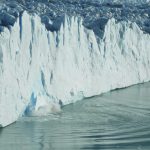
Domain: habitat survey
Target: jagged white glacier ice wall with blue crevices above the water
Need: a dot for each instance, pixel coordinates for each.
(42, 70)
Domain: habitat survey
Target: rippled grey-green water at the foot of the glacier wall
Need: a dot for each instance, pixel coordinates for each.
(119, 120)
